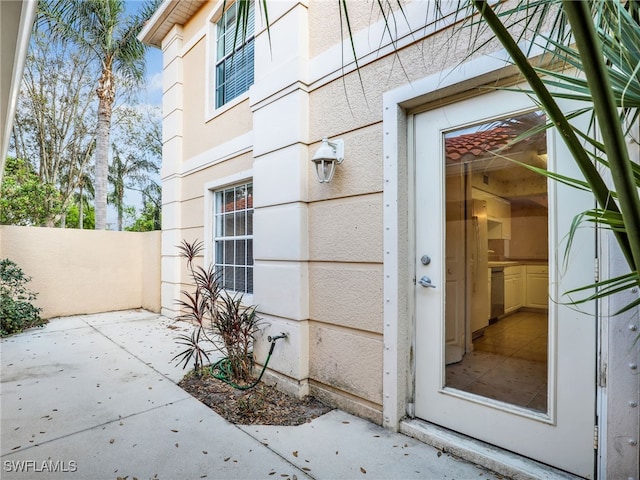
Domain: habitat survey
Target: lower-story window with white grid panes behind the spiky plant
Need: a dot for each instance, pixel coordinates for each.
(233, 237)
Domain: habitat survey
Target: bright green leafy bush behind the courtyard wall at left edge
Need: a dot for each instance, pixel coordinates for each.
(25, 200)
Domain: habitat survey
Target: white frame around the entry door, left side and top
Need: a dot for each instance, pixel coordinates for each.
(398, 328)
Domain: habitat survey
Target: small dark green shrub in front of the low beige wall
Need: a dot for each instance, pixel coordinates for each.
(16, 311)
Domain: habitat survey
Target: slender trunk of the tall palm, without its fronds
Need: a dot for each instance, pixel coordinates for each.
(106, 96)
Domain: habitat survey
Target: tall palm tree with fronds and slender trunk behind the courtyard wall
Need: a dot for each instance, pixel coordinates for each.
(103, 28)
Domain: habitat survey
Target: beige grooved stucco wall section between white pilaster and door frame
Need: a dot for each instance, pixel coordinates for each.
(346, 216)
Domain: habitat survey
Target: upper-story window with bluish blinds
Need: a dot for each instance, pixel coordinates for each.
(234, 54)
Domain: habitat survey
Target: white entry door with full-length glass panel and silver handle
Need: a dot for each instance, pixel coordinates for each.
(521, 374)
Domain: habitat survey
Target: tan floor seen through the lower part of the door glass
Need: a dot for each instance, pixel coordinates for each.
(508, 363)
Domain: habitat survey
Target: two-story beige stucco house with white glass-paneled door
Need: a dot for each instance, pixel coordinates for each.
(420, 287)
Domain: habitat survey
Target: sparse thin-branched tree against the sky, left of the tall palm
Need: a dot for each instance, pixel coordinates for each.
(52, 127)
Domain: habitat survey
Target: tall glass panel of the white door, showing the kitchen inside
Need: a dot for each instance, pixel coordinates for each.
(496, 262)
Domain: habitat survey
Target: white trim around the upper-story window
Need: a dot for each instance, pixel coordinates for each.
(210, 111)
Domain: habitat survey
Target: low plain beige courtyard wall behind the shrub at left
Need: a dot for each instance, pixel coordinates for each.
(86, 271)
